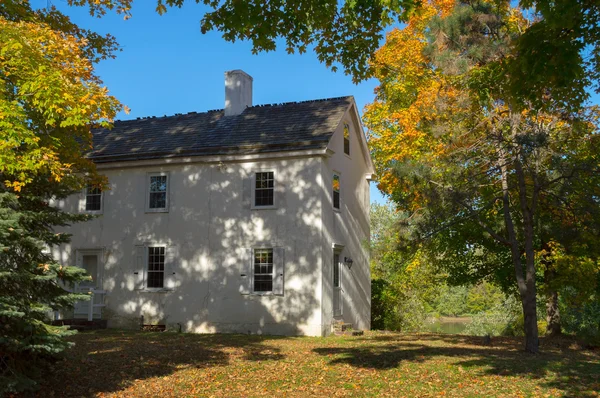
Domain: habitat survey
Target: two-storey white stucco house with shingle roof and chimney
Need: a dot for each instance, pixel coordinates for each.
(251, 219)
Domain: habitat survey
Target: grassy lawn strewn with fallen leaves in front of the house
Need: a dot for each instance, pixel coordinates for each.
(124, 363)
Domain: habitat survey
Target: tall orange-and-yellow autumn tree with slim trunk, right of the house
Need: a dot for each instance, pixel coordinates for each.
(462, 154)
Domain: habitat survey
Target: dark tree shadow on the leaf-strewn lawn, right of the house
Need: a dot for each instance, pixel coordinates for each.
(559, 365)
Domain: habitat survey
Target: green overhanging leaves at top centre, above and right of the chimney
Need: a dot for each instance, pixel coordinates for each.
(345, 33)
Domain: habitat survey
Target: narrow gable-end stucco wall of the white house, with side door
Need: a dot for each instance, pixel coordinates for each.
(348, 227)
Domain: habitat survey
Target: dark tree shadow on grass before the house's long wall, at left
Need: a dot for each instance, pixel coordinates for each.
(110, 361)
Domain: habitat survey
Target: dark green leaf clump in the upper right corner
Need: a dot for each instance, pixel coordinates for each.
(559, 55)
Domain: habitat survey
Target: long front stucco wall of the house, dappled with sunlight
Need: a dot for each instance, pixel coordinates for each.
(209, 221)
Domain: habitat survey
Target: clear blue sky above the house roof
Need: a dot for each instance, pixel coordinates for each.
(167, 66)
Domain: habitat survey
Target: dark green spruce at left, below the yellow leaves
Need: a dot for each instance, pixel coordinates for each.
(32, 282)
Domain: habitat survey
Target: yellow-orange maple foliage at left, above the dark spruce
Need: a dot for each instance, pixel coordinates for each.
(50, 100)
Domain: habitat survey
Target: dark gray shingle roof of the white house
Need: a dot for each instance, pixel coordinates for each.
(261, 128)
